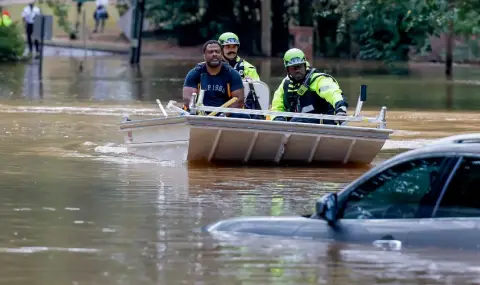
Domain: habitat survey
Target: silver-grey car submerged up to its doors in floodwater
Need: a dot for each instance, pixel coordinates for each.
(424, 197)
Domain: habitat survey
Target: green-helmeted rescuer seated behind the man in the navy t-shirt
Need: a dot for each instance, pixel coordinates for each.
(230, 44)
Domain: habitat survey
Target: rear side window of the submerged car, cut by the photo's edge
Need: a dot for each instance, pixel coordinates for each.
(462, 196)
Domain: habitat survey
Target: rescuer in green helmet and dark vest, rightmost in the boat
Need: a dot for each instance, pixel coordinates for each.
(306, 90)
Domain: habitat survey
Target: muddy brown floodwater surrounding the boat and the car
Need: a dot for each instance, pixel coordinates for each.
(77, 209)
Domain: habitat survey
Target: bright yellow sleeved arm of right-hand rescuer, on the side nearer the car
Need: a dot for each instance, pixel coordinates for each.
(326, 88)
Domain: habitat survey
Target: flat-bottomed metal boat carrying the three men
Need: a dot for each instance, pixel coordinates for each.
(212, 138)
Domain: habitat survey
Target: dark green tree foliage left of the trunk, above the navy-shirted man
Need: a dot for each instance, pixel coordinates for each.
(193, 24)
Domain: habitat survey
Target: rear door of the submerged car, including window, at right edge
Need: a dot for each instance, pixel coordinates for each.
(455, 220)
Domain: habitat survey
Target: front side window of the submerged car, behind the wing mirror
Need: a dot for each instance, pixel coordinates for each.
(401, 191)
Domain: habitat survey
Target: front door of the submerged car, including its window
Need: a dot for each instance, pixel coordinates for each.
(388, 204)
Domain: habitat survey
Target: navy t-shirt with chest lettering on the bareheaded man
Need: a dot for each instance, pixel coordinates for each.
(215, 86)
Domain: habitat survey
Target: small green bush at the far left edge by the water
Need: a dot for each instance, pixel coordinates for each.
(12, 44)
